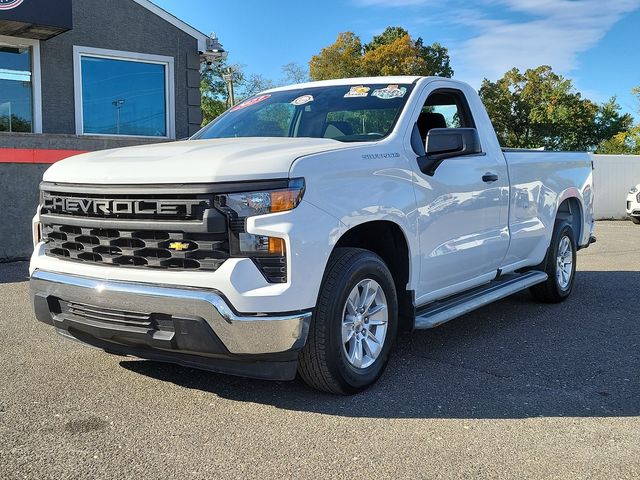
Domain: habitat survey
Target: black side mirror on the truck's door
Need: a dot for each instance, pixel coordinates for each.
(443, 143)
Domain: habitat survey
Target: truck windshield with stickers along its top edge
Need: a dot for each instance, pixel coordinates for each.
(348, 113)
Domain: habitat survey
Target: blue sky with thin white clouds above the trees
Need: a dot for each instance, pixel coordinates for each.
(593, 42)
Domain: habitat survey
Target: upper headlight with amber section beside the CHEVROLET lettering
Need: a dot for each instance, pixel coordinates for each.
(260, 203)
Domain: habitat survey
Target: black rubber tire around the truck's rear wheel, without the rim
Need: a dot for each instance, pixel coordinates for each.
(552, 291)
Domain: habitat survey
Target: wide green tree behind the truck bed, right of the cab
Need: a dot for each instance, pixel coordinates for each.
(539, 108)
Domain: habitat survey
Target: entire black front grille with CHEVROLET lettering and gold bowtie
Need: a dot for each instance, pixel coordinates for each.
(135, 227)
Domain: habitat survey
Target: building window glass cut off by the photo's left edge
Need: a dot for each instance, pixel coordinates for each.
(16, 111)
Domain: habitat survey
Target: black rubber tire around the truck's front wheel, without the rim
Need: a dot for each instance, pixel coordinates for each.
(323, 362)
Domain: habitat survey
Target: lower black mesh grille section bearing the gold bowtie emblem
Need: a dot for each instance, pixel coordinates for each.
(136, 248)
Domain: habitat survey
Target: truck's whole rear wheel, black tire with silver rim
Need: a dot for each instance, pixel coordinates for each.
(559, 265)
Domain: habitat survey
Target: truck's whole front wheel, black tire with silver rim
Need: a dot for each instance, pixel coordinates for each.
(354, 324)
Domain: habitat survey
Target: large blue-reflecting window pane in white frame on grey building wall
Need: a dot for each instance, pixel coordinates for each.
(121, 97)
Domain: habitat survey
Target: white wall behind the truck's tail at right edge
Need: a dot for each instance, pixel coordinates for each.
(613, 176)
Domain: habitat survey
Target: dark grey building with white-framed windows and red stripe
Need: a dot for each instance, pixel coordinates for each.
(83, 75)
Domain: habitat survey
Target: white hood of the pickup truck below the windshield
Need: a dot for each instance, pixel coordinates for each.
(193, 161)
